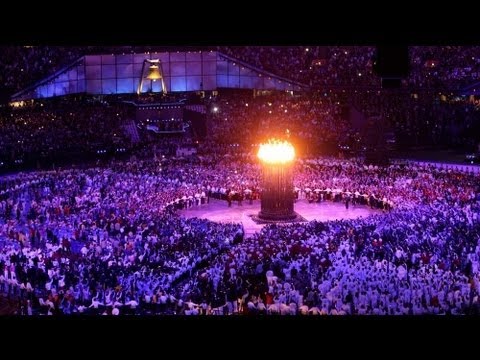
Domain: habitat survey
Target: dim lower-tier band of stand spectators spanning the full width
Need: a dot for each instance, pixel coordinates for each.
(317, 122)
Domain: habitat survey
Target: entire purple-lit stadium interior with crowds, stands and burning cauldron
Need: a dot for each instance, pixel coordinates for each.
(239, 180)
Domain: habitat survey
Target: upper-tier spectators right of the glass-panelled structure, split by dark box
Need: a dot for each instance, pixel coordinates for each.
(435, 67)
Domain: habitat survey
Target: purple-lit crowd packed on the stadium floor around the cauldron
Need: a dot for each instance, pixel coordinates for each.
(107, 240)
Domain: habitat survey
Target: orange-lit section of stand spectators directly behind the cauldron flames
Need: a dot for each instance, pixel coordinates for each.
(308, 120)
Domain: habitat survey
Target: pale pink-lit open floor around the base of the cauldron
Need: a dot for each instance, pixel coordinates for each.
(219, 211)
